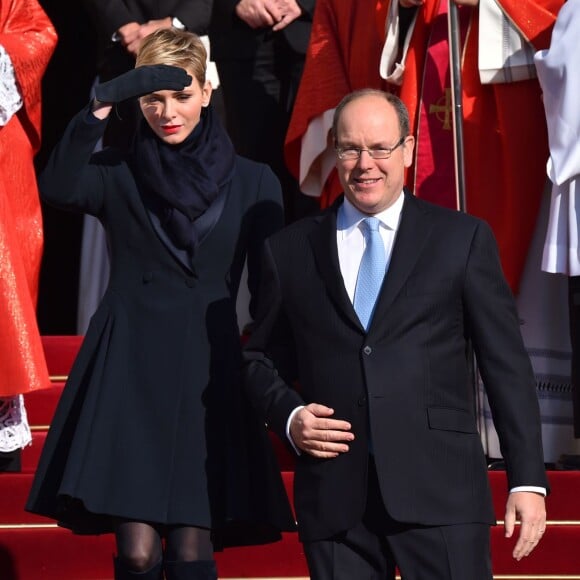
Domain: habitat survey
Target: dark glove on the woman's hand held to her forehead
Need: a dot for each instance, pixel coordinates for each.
(142, 81)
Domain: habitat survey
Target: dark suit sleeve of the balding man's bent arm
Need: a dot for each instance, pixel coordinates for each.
(269, 355)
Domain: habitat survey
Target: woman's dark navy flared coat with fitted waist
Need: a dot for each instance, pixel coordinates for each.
(151, 424)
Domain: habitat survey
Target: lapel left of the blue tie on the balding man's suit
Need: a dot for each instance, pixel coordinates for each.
(325, 250)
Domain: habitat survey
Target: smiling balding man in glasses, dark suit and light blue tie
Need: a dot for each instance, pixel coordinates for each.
(390, 468)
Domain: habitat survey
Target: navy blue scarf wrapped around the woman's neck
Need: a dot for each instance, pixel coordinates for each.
(185, 178)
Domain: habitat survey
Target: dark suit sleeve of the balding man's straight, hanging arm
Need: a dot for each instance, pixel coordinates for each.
(493, 323)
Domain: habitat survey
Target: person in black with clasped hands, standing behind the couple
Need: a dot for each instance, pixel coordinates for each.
(259, 47)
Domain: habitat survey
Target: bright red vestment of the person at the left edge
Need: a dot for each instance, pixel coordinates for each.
(29, 38)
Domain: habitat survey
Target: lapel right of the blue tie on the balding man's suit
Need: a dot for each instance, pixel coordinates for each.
(414, 230)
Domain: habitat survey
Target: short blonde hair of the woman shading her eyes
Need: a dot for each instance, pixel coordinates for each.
(175, 48)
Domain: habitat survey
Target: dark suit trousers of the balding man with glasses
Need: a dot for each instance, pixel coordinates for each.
(378, 545)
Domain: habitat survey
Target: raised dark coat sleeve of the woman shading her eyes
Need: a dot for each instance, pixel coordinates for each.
(72, 179)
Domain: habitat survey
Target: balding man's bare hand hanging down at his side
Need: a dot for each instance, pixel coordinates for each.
(530, 508)
